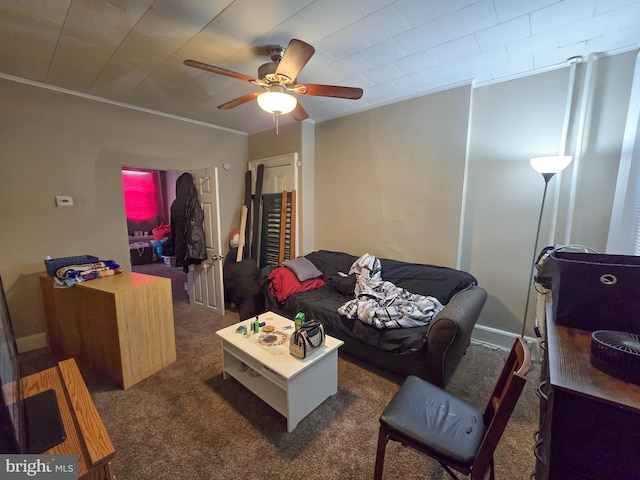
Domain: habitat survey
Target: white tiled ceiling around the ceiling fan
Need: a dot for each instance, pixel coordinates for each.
(131, 51)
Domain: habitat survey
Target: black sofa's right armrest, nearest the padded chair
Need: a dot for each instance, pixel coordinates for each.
(450, 331)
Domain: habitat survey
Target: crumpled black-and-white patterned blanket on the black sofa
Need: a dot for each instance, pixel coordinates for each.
(382, 304)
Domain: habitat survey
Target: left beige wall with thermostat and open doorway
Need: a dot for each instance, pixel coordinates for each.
(58, 144)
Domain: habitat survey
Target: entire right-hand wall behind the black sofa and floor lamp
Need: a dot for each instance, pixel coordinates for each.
(389, 181)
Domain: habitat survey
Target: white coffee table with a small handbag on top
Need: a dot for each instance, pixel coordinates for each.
(294, 387)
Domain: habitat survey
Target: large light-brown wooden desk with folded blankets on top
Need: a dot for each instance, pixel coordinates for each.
(121, 326)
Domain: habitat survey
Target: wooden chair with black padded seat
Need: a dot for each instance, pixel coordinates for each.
(457, 435)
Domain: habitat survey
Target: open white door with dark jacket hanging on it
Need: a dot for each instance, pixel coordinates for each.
(206, 289)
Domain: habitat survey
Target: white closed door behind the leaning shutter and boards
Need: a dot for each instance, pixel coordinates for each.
(280, 175)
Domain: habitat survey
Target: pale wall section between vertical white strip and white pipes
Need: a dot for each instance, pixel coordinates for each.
(511, 122)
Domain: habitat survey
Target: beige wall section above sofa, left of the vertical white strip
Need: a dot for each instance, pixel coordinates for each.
(389, 181)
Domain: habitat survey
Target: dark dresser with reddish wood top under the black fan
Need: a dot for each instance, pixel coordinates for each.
(589, 420)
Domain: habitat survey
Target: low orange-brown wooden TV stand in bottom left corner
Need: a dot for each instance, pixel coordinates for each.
(87, 436)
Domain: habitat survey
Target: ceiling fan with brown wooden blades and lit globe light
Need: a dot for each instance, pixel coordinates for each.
(277, 78)
